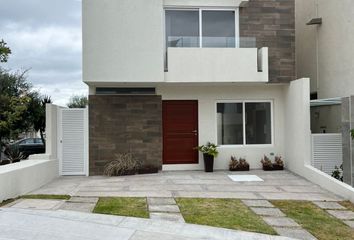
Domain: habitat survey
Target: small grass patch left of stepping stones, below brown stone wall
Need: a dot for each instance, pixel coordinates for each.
(122, 206)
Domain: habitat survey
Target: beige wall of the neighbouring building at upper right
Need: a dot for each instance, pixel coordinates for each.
(324, 52)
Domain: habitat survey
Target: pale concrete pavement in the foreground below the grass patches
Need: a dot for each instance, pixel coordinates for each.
(67, 225)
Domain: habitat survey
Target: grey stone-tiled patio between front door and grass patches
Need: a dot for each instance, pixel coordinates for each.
(281, 185)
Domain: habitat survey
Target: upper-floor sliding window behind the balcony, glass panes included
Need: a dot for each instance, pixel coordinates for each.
(201, 28)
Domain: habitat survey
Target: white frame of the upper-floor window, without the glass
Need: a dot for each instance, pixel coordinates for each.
(201, 9)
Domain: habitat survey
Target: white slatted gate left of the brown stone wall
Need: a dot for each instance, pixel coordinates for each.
(73, 141)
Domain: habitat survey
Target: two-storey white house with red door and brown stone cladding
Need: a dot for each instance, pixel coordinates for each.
(168, 75)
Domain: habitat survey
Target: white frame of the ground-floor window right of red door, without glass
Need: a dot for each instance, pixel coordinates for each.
(244, 123)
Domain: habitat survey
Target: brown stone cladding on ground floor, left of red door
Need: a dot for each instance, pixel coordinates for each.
(124, 123)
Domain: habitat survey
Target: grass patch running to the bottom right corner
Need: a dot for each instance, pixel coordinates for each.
(318, 222)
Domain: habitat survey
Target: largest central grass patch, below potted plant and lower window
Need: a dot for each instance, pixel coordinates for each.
(226, 213)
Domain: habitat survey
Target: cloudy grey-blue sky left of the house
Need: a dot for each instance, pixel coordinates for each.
(45, 37)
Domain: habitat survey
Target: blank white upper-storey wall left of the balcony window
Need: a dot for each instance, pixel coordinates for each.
(122, 41)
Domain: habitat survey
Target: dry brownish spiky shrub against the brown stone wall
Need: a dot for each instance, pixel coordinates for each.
(124, 164)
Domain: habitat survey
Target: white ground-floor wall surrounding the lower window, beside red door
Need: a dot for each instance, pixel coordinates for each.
(207, 97)
